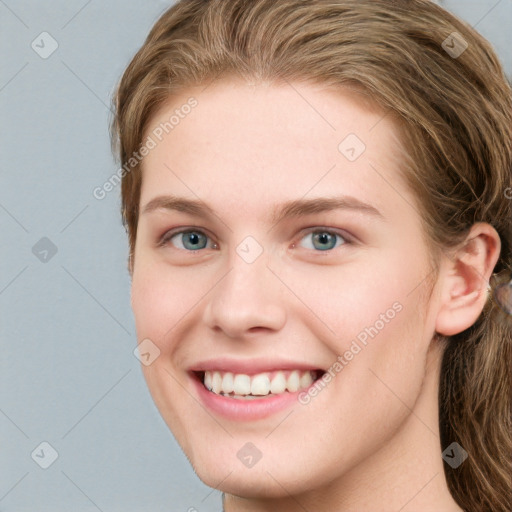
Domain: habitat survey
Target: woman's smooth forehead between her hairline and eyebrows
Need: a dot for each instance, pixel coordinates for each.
(245, 143)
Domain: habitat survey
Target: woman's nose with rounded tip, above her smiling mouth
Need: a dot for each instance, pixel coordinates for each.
(248, 299)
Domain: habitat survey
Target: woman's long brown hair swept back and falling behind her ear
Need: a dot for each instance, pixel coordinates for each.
(445, 86)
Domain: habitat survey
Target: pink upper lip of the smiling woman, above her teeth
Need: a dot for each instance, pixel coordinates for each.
(250, 366)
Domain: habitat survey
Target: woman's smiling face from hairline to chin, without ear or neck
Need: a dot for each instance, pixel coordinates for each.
(280, 242)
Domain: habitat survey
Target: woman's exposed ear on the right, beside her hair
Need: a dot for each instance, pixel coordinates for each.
(464, 280)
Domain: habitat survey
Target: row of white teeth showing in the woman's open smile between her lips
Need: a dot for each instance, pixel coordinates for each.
(259, 386)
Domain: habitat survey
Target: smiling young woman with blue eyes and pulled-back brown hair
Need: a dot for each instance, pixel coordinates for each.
(315, 198)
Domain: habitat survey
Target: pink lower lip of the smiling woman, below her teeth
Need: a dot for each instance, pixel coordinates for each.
(238, 409)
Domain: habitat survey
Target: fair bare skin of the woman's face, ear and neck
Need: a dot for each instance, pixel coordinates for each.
(369, 440)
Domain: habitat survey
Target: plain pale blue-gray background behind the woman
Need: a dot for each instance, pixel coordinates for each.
(68, 375)
